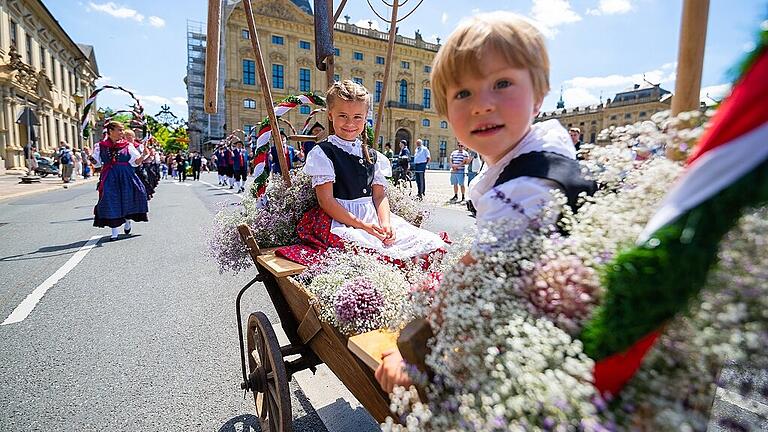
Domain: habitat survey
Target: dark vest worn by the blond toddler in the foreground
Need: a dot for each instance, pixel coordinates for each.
(550, 166)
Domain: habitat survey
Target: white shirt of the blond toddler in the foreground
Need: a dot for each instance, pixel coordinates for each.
(522, 197)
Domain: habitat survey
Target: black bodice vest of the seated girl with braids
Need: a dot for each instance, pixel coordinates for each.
(354, 176)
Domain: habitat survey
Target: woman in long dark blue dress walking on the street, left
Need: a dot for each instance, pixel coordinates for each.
(122, 196)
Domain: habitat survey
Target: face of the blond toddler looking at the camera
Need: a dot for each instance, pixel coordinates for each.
(492, 112)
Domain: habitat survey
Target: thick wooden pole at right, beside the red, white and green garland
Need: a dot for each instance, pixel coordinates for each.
(690, 56)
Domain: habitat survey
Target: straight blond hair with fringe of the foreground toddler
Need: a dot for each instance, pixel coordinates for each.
(509, 35)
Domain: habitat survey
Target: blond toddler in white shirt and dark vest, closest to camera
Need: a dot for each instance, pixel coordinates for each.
(489, 80)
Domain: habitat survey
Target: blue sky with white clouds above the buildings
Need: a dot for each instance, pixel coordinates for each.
(595, 46)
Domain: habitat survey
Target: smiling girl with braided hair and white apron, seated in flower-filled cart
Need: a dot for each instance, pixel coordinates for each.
(349, 179)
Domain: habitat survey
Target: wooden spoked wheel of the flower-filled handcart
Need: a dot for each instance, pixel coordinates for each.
(269, 382)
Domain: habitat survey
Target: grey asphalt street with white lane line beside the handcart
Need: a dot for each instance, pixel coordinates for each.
(140, 334)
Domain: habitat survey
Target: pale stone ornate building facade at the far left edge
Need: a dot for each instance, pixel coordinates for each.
(44, 79)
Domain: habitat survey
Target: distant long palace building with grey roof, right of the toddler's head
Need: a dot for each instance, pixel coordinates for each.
(627, 107)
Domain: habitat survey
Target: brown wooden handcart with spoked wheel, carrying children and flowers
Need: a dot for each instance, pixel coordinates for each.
(311, 343)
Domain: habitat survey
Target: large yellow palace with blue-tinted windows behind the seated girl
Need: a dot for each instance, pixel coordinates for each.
(286, 35)
